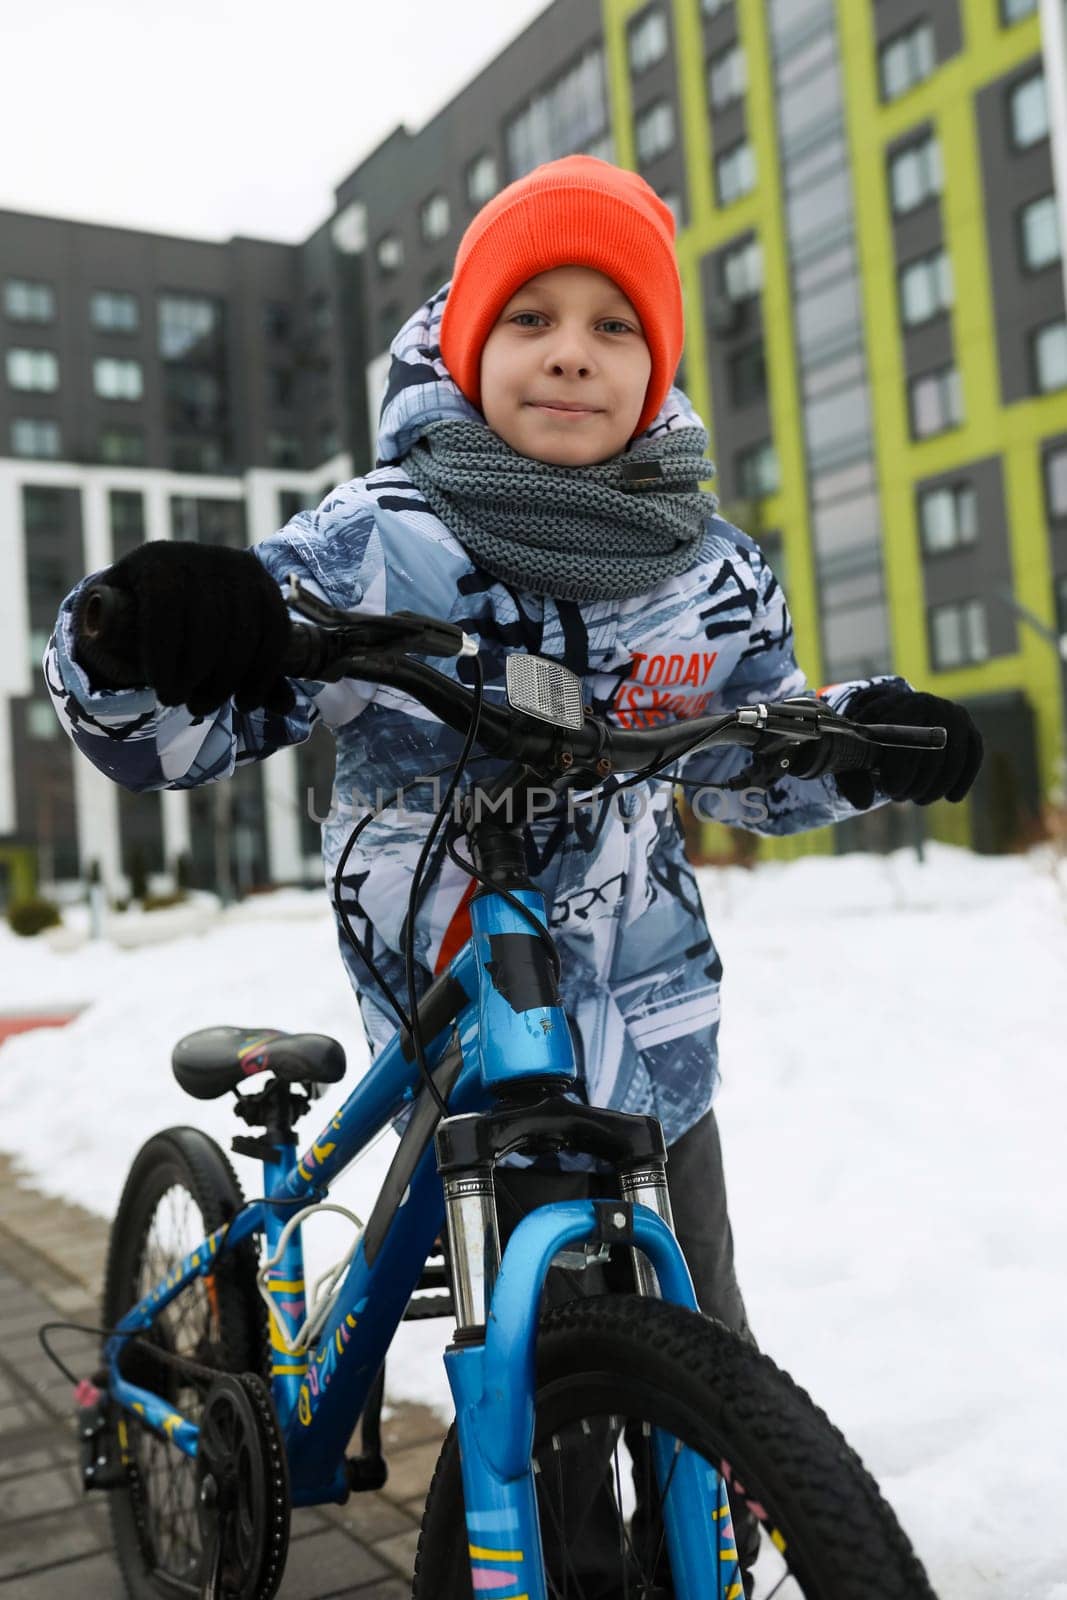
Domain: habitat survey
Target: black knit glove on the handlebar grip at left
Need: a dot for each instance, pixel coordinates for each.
(210, 625)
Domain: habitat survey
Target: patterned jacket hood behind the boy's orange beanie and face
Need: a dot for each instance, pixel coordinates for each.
(420, 390)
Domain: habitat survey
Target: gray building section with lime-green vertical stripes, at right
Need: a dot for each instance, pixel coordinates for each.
(873, 252)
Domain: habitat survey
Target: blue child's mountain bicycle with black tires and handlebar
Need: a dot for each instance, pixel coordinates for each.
(613, 1447)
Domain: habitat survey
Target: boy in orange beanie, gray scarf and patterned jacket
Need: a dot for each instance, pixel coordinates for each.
(538, 482)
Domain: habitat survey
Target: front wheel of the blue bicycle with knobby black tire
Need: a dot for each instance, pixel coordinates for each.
(809, 1516)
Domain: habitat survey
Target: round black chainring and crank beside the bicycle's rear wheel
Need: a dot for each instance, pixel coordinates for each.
(242, 1492)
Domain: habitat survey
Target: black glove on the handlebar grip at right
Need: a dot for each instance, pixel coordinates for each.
(922, 777)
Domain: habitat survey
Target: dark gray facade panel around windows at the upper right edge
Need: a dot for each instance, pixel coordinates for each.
(1023, 302)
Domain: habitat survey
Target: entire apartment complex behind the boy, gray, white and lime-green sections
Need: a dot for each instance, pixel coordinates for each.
(871, 202)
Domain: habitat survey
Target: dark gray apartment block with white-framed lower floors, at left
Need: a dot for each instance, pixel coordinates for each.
(153, 388)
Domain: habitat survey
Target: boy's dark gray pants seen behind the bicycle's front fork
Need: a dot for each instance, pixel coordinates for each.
(588, 1543)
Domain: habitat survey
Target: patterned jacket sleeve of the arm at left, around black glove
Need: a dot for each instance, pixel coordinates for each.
(140, 743)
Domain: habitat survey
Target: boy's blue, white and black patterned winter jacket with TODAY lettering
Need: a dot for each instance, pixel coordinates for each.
(641, 975)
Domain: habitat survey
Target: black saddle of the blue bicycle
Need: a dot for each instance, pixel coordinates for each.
(215, 1060)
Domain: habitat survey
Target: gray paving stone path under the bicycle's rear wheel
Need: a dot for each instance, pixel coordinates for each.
(55, 1540)
